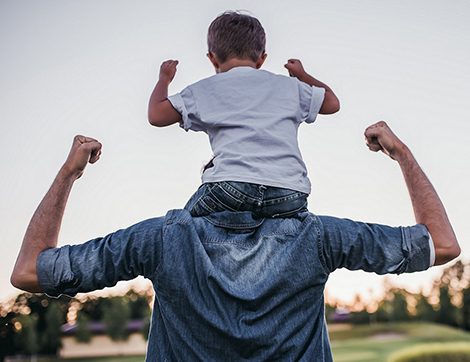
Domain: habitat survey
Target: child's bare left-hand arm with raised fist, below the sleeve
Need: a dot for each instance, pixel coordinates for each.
(161, 112)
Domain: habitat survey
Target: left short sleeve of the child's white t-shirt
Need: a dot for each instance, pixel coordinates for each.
(186, 104)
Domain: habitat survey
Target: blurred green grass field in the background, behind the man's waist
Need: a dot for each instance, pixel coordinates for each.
(356, 343)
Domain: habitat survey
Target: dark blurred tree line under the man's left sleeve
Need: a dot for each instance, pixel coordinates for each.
(31, 324)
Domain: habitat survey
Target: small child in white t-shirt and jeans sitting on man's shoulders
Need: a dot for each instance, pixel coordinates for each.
(251, 117)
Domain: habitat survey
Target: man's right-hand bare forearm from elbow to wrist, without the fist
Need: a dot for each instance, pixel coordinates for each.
(428, 208)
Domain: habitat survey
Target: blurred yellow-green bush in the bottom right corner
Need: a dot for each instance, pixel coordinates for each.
(443, 352)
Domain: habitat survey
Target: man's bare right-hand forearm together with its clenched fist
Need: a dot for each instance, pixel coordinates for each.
(428, 208)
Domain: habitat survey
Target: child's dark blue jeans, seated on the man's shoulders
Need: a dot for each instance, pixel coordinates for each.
(263, 201)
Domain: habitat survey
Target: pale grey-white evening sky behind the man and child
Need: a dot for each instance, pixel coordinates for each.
(88, 67)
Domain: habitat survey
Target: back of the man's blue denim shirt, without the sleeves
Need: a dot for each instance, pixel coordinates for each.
(232, 288)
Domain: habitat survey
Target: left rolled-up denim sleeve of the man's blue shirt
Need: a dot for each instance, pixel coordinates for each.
(102, 262)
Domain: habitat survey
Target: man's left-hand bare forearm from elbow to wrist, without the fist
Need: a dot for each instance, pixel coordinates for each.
(42, 232)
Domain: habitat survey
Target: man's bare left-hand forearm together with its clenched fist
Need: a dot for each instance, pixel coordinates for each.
(43, 230)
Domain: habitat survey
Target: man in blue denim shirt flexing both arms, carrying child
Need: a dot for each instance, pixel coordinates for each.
(229, 287)
